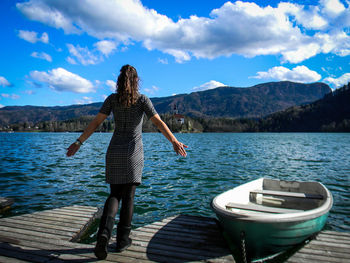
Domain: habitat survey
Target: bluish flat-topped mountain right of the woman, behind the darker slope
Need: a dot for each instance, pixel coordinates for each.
(256, 101)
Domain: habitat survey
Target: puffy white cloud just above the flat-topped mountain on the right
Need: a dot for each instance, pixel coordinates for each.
(298, 74)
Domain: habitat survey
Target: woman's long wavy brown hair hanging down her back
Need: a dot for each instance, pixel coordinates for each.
(127, 86)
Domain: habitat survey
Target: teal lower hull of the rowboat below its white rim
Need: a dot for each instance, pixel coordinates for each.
(265, 240)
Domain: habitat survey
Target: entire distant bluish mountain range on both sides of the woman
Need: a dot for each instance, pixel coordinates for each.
(256, 101)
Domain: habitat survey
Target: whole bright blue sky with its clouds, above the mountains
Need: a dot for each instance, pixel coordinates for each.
(63, 52)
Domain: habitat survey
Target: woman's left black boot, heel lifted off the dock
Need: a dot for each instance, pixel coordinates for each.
(103, 236)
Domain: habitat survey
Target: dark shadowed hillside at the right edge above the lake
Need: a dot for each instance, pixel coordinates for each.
(331, 113)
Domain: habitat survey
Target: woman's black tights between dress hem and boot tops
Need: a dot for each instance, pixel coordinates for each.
(124, 193)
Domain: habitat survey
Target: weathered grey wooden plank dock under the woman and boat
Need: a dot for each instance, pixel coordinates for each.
(52, 235)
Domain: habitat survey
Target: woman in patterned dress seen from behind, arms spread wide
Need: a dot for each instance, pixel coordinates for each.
(124, 158)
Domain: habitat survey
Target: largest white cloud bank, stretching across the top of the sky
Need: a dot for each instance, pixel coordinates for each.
(241, 28)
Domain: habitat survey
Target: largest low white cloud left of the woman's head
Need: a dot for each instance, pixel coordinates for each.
(62, 80)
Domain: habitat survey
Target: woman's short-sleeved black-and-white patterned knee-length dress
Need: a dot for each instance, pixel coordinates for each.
(124, 157)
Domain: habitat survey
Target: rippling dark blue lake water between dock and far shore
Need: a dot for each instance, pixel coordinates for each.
(36, 173)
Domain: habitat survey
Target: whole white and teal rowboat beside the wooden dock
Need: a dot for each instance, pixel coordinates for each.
(265, 217)
